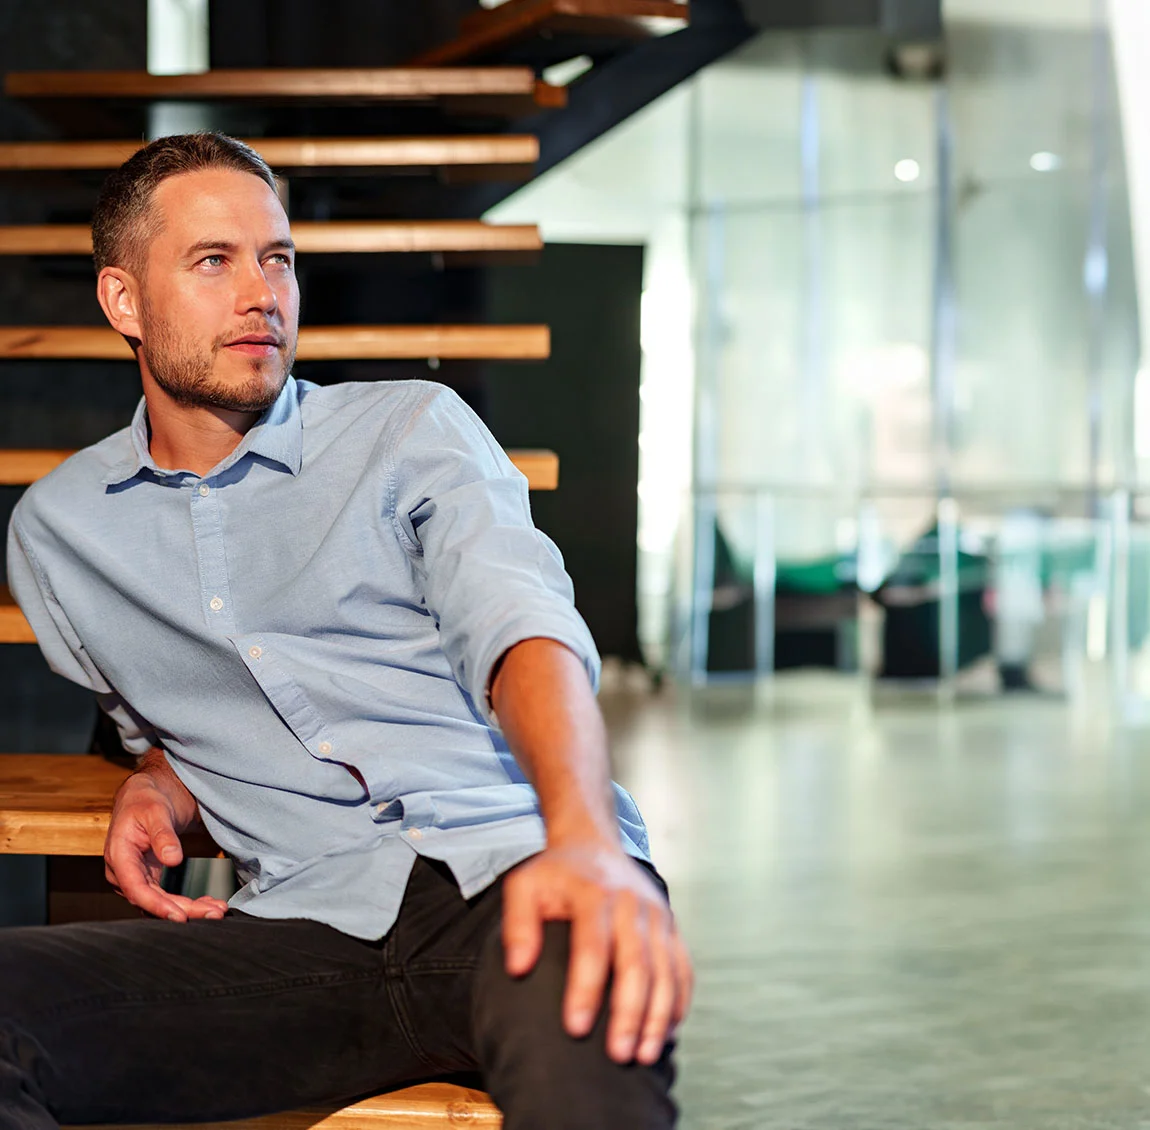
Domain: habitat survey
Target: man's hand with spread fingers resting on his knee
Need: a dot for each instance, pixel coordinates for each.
(622, 925)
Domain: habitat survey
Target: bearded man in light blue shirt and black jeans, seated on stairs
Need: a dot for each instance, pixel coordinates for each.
(324, 619)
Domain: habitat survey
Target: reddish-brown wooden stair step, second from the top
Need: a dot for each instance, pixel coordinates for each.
(513, 90)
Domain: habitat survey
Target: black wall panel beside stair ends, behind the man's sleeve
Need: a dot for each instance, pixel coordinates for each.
(585, 405)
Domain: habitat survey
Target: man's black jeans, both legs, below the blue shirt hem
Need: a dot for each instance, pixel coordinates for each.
(151, 1021)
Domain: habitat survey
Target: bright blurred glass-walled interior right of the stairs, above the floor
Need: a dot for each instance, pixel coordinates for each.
(893, 416)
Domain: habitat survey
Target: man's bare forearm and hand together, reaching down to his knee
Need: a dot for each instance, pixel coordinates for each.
(622, 925)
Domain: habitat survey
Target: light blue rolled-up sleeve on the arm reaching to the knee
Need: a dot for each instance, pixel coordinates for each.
(490, 579)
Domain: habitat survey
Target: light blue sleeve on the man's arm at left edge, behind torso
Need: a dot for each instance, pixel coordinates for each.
(58, 640)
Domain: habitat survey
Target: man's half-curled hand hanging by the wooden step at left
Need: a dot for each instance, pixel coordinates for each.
(149, 810)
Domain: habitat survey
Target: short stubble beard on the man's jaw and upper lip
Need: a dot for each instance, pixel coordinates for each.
(186, 373)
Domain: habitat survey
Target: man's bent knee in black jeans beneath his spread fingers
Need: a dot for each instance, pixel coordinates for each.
(539, 1074)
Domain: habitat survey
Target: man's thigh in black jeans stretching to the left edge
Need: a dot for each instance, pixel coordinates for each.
(157, 1021)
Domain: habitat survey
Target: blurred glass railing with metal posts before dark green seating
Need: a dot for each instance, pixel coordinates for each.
(991, 590)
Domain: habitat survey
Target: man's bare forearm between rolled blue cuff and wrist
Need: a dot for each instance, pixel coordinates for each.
(548, 712)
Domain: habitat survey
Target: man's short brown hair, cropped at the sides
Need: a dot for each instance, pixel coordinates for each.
(121, 224)
